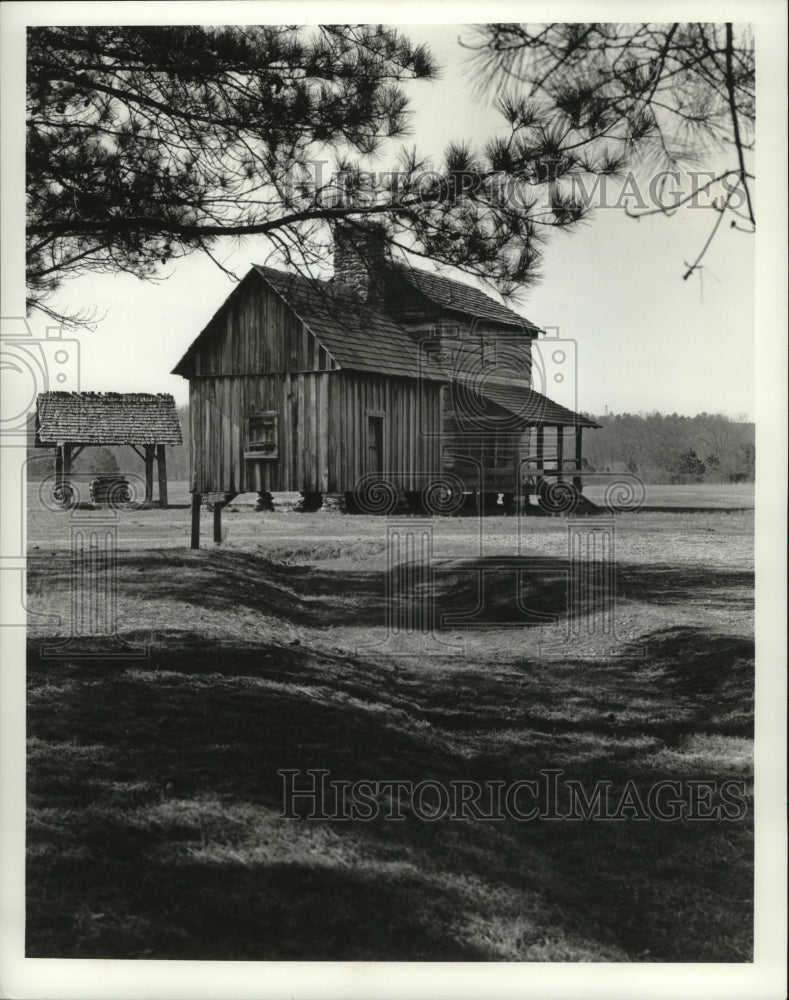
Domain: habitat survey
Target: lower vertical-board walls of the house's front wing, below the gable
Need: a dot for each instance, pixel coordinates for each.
(322, 432)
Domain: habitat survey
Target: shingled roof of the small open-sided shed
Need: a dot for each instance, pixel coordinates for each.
(107, 418)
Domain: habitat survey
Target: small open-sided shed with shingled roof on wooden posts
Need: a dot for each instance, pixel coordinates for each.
(72, 421)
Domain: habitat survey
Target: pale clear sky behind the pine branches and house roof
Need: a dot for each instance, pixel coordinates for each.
(643, 338)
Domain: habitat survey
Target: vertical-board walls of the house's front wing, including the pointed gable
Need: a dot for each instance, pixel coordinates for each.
(259, 357)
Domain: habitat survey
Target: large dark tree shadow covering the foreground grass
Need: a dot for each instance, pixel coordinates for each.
(154, 806)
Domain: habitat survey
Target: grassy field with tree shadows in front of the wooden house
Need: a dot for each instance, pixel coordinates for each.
(154, 802)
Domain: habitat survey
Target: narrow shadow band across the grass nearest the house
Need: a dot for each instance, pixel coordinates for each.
(501, 590)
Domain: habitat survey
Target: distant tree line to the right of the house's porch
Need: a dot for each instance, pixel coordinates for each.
(669, 448)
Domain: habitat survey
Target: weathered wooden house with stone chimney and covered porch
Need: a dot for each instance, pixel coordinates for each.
(385, 380)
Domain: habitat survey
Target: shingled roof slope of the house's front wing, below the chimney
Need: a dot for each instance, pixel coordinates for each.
(358, 337)
